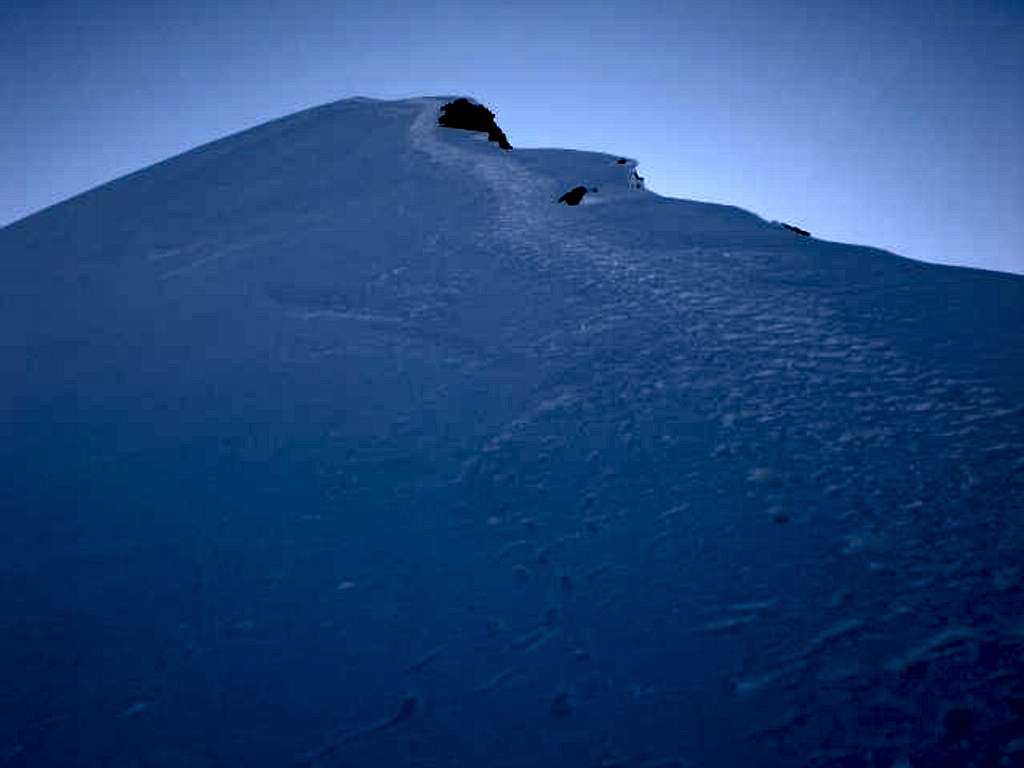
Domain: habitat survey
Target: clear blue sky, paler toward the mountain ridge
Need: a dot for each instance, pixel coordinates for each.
(893, 124)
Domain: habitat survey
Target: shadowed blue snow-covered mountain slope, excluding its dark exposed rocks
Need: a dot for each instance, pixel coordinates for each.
(338, 442)
